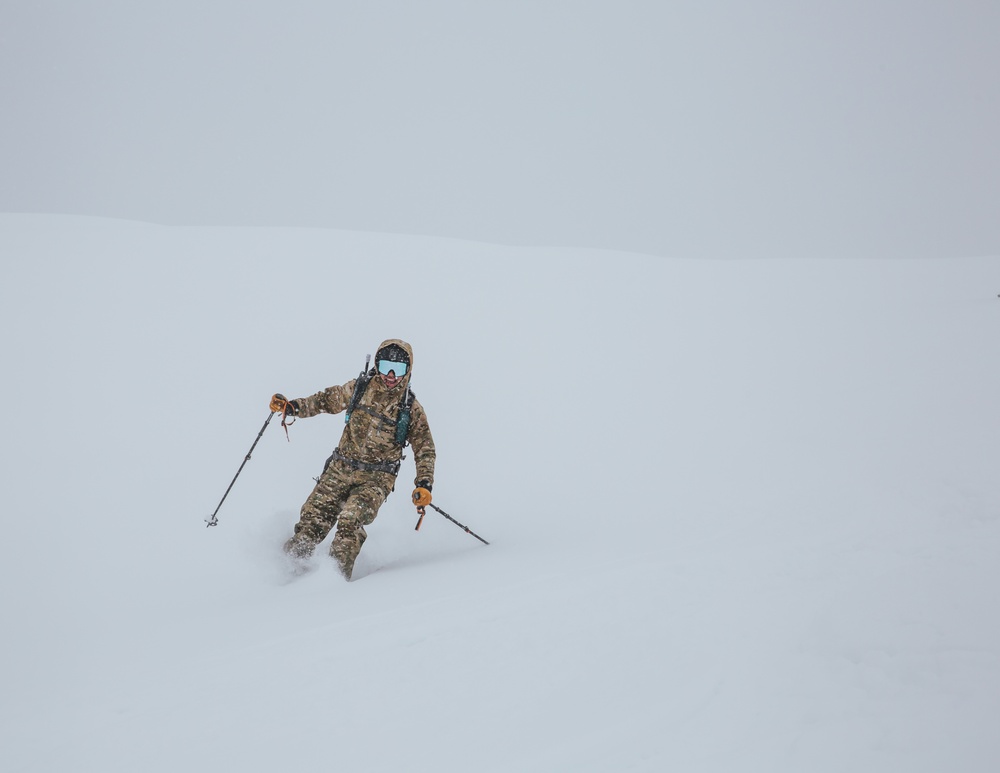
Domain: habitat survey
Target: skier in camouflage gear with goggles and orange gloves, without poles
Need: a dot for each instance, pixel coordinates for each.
(382, 418)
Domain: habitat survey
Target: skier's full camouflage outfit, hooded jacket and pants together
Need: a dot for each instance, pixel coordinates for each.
(348, 497)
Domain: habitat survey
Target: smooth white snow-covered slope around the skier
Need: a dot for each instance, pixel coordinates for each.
(744, 515)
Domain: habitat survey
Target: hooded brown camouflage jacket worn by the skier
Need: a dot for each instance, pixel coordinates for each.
(370, 434)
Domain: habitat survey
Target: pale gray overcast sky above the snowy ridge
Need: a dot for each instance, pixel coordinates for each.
(786, 128)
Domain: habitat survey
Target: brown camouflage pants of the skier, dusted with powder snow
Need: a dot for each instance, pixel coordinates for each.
(347, 498)
